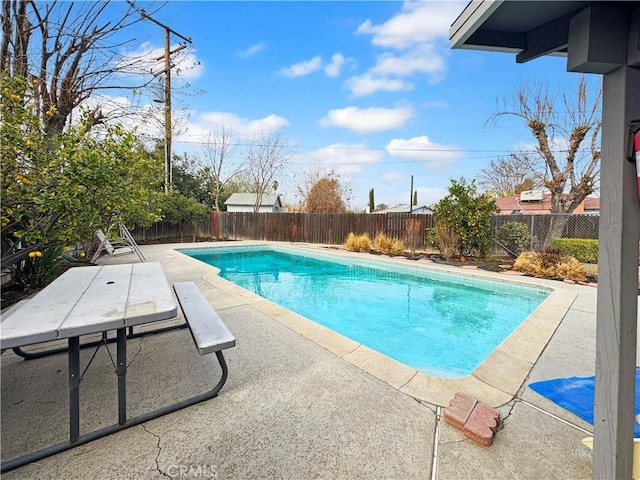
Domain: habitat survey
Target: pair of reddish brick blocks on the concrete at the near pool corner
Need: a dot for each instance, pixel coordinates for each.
(478, 421)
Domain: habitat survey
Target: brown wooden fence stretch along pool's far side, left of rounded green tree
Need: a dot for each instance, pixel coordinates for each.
(330, 228)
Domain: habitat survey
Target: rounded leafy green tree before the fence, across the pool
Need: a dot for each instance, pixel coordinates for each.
(467, 214)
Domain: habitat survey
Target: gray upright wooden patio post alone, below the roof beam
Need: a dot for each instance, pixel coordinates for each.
(616, 329)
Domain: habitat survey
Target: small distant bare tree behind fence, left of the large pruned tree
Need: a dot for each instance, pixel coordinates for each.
(504, 177)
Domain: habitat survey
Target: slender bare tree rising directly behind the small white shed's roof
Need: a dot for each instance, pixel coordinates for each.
(267, 155)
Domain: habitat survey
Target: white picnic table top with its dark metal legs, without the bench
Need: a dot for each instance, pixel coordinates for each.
(89, 300)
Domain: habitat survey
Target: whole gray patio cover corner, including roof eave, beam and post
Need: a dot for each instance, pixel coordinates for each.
(598, 37)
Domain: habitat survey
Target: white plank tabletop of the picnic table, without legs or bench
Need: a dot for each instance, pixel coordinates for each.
(86, 300)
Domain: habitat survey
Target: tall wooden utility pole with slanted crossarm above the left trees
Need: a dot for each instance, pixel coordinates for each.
(168, 171)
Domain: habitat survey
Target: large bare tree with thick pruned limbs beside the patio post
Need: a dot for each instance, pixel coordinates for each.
(570, 172)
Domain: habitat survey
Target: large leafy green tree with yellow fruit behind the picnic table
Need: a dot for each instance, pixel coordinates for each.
(59, 188)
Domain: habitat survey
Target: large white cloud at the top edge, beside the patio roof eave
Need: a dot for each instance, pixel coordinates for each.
(418, 22)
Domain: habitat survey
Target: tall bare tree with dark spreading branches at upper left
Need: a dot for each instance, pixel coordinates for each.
(69, 51)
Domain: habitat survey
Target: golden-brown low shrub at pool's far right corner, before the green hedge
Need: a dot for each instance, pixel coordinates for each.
(550, 263)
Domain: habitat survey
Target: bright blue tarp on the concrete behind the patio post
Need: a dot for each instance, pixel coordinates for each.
(576, 394)
